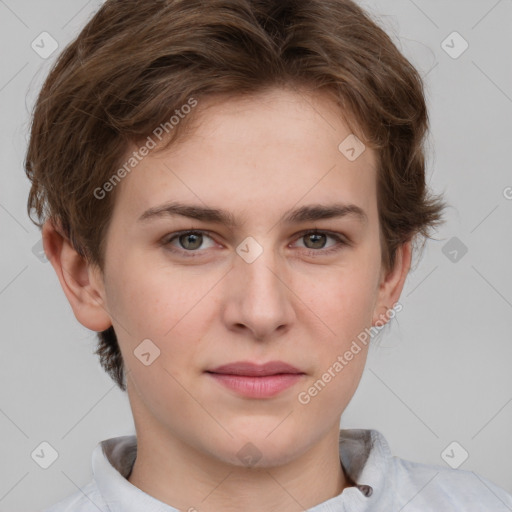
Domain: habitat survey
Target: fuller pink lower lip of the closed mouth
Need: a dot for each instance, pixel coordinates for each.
(258, 387)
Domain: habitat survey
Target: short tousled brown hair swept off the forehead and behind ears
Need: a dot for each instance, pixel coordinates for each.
(136, 62)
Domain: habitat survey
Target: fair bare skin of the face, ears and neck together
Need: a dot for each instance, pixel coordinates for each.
(255, 158)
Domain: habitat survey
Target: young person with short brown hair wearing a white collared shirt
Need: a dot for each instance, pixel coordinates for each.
(230, 193)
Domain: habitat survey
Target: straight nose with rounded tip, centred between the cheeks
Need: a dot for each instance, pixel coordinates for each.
(259, 297)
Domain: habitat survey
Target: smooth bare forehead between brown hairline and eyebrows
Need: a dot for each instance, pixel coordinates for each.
(274, 149)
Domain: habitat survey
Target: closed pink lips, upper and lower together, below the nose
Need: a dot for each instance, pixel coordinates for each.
(257, 381)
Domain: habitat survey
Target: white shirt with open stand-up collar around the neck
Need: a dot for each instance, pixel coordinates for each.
(384, 483)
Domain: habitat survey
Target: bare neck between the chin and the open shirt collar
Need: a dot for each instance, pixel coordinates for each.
(187, 478)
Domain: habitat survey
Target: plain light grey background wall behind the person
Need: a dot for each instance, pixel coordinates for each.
(442, 372)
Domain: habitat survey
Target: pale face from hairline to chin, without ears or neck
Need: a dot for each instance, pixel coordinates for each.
(262, 287)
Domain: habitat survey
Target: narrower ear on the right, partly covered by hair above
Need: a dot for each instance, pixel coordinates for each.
(392, 282)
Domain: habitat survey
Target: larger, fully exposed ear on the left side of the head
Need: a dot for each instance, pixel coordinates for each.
(81, 282)
